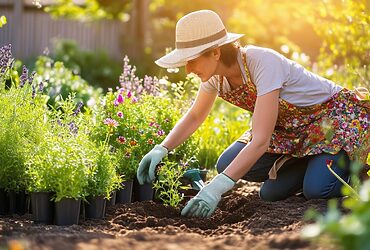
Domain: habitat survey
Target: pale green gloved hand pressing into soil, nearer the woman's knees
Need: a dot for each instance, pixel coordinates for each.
(205, 202)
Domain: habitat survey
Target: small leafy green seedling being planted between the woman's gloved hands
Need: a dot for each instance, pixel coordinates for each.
(168, 183)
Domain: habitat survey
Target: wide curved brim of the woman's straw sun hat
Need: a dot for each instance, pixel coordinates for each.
(179, 57)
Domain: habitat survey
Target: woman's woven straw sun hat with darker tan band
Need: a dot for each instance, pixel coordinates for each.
(196, 32)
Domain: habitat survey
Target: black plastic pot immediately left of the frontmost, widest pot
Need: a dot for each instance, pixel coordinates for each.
(42, 207)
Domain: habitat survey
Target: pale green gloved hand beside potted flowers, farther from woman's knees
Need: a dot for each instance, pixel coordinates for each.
(146, 171)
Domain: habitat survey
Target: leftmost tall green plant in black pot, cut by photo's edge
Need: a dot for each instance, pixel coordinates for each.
(22, 110)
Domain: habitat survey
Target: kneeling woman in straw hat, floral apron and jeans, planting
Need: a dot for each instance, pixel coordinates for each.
(301, 122)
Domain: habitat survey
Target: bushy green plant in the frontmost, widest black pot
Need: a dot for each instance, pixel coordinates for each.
(71, 153)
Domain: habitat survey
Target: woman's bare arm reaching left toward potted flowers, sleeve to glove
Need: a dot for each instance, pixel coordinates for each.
(193, 118)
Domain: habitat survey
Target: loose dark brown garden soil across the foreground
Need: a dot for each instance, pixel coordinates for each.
(242, 221)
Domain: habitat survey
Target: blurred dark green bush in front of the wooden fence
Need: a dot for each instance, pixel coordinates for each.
(96, 67)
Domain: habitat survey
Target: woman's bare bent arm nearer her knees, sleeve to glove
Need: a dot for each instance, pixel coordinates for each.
(263, 123)
